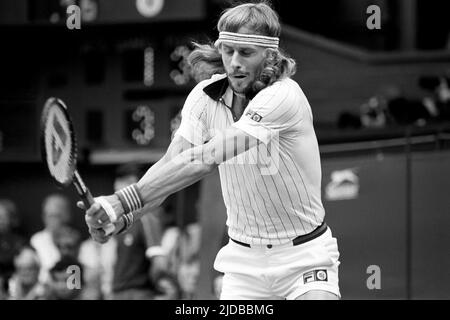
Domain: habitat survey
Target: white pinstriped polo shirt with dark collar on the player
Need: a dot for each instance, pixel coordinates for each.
(272, 192)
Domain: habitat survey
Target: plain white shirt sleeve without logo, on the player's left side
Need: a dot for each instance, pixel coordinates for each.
(193, 117)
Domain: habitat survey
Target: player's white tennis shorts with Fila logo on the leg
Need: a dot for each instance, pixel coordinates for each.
(281, 272)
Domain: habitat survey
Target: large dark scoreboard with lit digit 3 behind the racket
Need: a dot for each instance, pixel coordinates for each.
(124, 83)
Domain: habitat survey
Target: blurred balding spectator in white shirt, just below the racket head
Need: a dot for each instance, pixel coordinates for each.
(55, 215)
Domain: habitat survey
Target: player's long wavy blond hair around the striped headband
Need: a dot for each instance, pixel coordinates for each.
(262, 20)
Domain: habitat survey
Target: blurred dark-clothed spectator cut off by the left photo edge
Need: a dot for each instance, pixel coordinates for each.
(10, 242)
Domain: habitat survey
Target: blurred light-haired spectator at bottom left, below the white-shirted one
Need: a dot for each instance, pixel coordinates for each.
(25, 284)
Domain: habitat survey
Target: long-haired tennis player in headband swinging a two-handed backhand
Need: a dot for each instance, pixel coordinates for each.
(255, 124)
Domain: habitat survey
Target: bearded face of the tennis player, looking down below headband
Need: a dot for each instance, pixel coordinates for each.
(242, 63)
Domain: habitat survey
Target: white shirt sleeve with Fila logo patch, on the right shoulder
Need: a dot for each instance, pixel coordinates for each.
(272, 111)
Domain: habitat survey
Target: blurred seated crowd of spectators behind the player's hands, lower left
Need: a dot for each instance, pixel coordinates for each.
(150, 261)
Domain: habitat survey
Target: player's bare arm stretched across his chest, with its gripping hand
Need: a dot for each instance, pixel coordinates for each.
(179, 172)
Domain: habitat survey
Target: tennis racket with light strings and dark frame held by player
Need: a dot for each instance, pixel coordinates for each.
(59, 150)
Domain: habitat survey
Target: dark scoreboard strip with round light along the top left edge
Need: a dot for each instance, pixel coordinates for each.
(22, 12)
